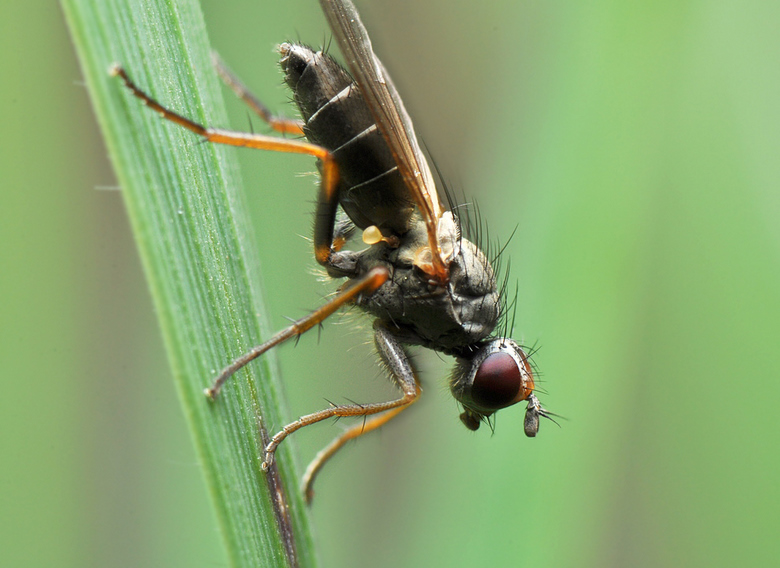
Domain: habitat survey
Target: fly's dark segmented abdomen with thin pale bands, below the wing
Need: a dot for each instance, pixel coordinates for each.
(337, 118)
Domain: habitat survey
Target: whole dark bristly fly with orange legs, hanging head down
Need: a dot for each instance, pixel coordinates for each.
(421, 280)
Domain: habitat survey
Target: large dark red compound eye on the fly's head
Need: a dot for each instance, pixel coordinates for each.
(497, 382)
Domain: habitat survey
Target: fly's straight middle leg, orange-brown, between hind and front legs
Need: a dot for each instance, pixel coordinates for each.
(368, 284)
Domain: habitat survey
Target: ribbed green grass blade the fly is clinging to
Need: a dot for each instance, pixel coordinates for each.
(186, 210)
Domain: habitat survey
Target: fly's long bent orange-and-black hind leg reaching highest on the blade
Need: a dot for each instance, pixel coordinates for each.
(327, 200)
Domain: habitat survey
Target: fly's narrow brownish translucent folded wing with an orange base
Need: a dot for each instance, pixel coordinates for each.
(391, 117)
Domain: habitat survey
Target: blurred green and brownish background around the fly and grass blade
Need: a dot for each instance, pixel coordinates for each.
(634, 145)
